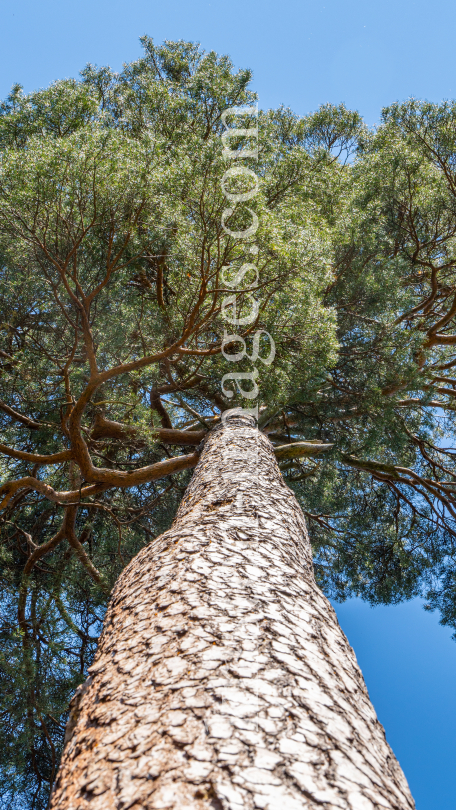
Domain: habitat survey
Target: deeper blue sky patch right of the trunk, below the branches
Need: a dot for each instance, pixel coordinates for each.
(409, 664)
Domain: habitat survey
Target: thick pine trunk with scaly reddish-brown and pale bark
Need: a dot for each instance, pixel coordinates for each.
(222, 678)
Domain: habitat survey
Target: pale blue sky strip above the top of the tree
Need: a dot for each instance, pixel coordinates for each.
(302, 53)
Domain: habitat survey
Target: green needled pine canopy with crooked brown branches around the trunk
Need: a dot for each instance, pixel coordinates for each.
(114, 342)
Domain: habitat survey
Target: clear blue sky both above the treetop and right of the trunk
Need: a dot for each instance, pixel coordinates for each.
(302, 54)
